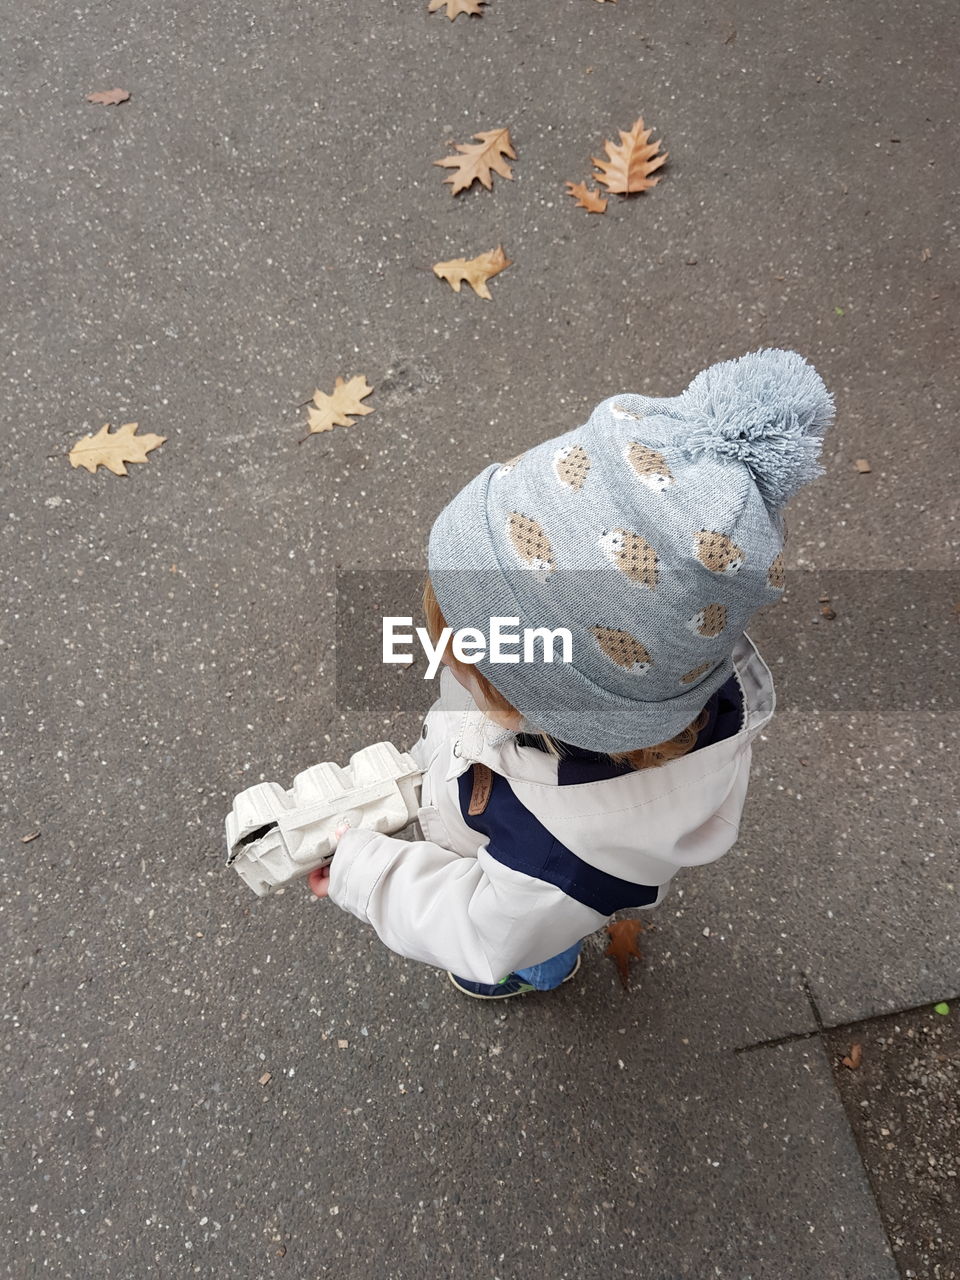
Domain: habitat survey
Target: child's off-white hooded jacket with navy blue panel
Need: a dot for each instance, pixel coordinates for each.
(482, 908)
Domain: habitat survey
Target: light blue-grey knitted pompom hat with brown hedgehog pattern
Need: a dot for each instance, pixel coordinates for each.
(652, 533)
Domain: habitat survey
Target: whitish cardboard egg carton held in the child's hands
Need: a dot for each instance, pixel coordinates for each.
(276, 836)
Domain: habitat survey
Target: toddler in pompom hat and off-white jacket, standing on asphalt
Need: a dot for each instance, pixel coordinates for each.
(556, 794)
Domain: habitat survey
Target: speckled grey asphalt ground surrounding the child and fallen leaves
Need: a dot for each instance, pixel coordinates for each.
(258, 220)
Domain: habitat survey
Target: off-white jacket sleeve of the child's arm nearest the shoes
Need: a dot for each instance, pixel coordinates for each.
(472, 916)
